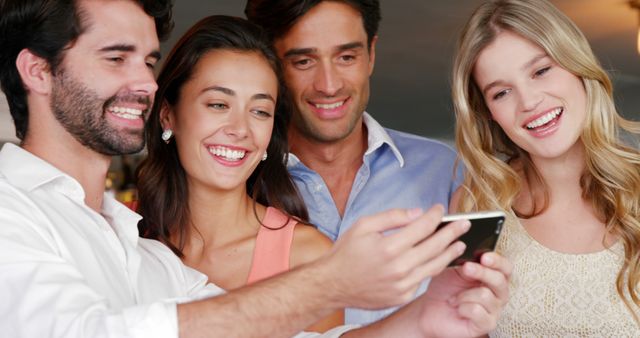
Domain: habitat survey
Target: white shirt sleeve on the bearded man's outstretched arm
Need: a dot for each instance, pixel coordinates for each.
(45, 296)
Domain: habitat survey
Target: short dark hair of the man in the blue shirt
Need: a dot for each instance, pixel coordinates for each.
(276, 17)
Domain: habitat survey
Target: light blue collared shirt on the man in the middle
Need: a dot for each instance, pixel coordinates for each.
(399, 170)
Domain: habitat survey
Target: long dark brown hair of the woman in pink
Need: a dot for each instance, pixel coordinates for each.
(162, 181)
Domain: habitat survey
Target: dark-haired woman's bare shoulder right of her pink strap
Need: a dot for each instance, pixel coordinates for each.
(308, 245)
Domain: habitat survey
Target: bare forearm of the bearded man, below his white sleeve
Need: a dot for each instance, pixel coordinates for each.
(277, 307)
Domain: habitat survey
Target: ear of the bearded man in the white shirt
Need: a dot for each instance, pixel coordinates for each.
(34, 71)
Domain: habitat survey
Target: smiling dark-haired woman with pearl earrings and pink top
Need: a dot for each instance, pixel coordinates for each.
(214, 186)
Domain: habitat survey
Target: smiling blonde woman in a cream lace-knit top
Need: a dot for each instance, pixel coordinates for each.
(538, 133)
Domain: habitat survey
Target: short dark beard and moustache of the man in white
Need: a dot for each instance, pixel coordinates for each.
(83, 114)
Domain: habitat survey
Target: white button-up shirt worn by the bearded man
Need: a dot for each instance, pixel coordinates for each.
(68, 271)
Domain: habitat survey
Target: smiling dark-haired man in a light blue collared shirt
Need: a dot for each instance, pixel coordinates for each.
(344, 163)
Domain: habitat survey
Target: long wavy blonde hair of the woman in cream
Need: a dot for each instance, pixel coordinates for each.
(611, 180)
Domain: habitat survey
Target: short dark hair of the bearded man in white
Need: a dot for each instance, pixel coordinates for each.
(47, 28)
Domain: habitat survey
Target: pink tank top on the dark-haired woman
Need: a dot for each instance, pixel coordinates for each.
(273, 247)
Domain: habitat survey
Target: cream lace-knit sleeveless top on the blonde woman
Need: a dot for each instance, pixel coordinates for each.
(553, 294)
